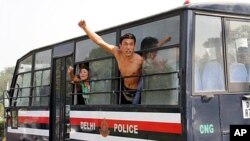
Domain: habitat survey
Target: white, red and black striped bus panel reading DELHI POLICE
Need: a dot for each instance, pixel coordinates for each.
(123, 125)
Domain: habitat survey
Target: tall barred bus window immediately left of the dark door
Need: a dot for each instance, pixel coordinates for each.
(41, 81)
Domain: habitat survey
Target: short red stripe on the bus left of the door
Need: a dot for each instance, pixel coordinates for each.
(30, 119)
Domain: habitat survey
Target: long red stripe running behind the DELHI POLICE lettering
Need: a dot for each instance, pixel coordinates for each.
(163, 127)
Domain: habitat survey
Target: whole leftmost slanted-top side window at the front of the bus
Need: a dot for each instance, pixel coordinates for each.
(23, 83)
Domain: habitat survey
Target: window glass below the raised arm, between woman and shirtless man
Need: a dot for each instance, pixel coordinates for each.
(101, 69)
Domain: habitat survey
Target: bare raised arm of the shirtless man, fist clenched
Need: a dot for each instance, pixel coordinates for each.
(96, 38)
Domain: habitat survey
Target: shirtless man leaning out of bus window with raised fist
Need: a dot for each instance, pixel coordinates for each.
(129, 63)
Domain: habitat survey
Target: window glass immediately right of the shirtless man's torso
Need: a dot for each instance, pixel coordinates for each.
(160, 81)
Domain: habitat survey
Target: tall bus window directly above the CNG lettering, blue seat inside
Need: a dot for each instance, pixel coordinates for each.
(208, 66)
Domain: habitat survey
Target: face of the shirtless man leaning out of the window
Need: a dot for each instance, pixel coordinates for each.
(127, 46)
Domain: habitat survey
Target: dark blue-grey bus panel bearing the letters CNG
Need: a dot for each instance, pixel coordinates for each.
(206, 122)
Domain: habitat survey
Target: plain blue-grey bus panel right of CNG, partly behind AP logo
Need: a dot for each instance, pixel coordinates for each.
(231, 113)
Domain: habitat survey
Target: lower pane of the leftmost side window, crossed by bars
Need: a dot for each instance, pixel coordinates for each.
(22, 92)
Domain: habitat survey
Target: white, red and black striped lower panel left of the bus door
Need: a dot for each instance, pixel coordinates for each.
(31, 126)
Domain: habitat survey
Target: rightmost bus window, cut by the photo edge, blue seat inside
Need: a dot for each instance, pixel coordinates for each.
(238, 54)
